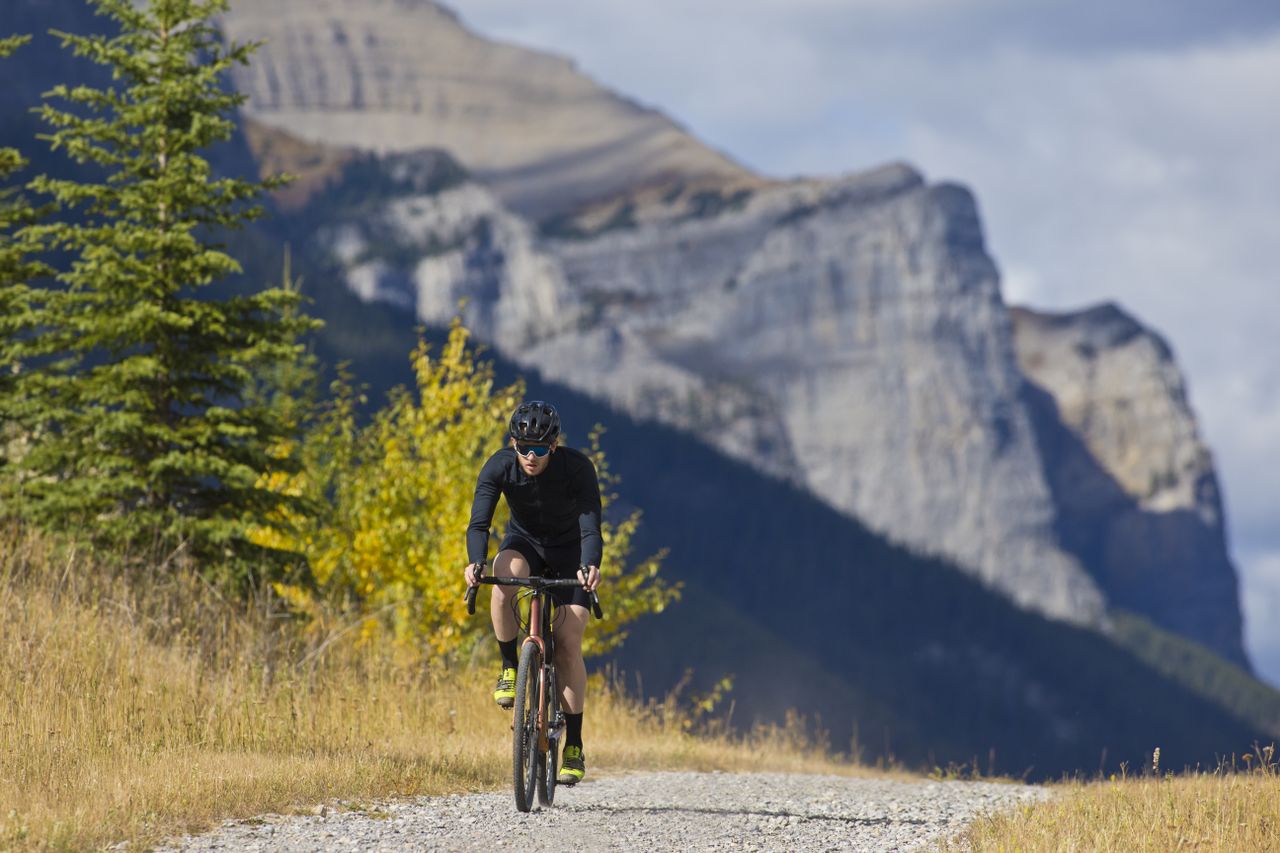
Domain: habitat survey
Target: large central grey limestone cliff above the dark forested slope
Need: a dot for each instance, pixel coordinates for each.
(848, 336)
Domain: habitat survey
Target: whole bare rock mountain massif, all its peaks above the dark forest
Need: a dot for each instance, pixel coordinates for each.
(845, 336)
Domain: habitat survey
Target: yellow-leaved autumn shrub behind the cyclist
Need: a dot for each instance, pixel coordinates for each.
(385, 544)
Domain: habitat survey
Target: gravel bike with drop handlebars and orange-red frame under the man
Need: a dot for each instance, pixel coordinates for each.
(538, 722)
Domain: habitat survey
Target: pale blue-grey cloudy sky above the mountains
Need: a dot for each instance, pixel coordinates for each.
(1124, 153)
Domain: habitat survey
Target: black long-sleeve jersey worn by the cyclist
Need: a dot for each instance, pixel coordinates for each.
(557, 508)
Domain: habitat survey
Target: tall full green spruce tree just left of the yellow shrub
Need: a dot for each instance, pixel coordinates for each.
(144, 428)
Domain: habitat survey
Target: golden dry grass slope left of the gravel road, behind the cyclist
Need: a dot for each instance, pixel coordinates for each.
(139, 706)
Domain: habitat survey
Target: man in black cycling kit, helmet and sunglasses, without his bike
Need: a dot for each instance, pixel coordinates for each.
(555, 501)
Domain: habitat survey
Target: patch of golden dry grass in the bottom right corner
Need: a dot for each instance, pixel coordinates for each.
(1232, 810)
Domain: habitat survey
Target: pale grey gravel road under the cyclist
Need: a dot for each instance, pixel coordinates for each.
(653, 811)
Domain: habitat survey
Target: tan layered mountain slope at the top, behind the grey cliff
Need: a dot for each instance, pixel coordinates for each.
(406, 75)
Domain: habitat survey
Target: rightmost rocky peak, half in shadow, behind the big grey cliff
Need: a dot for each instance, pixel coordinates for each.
(1136, 487)
